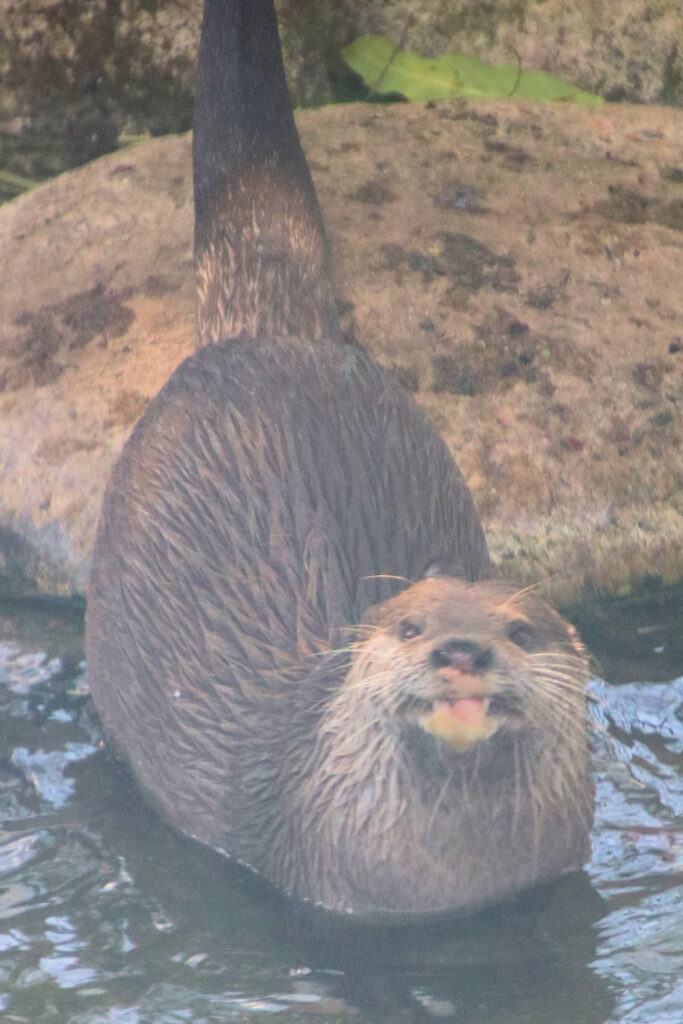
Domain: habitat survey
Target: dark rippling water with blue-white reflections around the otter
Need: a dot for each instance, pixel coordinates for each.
(106, 916)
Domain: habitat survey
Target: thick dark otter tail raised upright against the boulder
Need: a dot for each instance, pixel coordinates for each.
(261, 254)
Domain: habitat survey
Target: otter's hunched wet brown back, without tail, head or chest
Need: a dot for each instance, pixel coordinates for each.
(255, 513)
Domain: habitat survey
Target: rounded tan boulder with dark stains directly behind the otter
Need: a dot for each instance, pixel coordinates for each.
(519, 267)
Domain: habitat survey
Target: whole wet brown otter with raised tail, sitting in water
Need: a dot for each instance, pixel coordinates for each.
(290, 634)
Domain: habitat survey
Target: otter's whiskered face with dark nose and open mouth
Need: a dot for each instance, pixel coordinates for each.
(464, 661)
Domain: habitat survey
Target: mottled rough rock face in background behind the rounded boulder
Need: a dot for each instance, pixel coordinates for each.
(76, 74)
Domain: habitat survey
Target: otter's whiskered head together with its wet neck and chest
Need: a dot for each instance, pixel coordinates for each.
(451, 765)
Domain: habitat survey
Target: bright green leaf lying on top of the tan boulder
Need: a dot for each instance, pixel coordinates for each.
(386, 70)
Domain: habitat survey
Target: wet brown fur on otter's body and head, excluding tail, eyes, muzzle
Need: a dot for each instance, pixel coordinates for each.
(248, 523)
